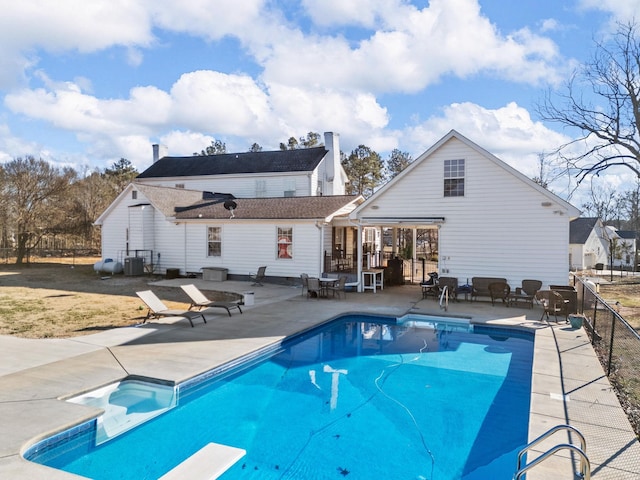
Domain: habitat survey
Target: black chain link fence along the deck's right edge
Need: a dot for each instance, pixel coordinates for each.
(617, 345)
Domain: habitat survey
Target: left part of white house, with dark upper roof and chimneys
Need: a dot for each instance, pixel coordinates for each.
(282, 209)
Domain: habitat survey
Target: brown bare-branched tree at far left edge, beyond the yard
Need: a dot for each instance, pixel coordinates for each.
(34, 192)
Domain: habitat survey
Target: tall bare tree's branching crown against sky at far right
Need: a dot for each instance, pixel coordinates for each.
(602, 102)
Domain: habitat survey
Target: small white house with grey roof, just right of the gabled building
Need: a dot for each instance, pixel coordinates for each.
(588, 243)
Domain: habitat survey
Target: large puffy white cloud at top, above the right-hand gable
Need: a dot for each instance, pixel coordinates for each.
(412, 51)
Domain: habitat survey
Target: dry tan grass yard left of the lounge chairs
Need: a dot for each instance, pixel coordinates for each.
(56, 300)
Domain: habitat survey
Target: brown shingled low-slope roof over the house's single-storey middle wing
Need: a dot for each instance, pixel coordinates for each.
(316, 207)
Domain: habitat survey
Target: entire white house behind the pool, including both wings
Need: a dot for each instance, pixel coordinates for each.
(286, 210)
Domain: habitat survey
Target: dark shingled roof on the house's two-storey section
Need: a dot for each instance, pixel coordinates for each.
(279, 161)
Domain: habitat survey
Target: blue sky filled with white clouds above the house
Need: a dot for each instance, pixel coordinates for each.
(86, 83)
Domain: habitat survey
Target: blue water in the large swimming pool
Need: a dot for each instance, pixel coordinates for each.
(359, 398)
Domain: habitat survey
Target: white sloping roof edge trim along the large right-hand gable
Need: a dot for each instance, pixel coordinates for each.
(571, 210)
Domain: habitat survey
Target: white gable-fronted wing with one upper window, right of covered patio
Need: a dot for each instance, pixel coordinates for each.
(492, 221)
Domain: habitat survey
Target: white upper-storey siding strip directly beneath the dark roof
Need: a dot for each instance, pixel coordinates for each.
(241, 186)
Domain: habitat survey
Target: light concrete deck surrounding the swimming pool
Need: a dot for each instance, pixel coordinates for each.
(568, 387)
